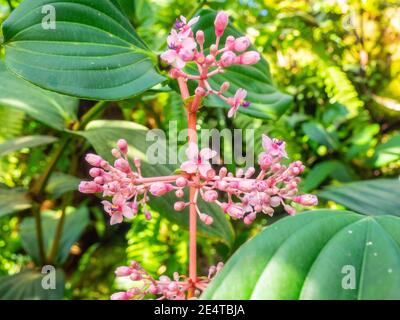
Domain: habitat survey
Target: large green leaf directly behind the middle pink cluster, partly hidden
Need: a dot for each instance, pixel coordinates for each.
(103, 135)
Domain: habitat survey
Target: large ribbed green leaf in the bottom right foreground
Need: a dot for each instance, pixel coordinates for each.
(313, 256)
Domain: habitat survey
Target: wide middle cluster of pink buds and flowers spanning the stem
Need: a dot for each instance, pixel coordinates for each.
(245, 194)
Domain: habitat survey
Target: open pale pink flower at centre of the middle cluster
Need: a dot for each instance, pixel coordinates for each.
(198, 162)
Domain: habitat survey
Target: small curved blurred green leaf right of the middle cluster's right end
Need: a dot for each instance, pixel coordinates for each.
(321, 171)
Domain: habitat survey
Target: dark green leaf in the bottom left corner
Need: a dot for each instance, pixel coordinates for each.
(27, 285)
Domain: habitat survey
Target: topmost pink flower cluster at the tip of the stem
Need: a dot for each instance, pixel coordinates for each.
(184, 47)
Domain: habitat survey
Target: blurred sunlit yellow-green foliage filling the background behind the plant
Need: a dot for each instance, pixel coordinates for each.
(340, 60)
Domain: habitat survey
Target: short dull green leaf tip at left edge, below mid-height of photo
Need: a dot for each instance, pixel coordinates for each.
(13, 200)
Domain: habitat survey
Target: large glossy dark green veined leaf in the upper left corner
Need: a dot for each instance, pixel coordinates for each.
(92, 53)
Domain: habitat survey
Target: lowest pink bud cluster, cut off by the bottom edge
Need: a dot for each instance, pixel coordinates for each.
(164, 288)
